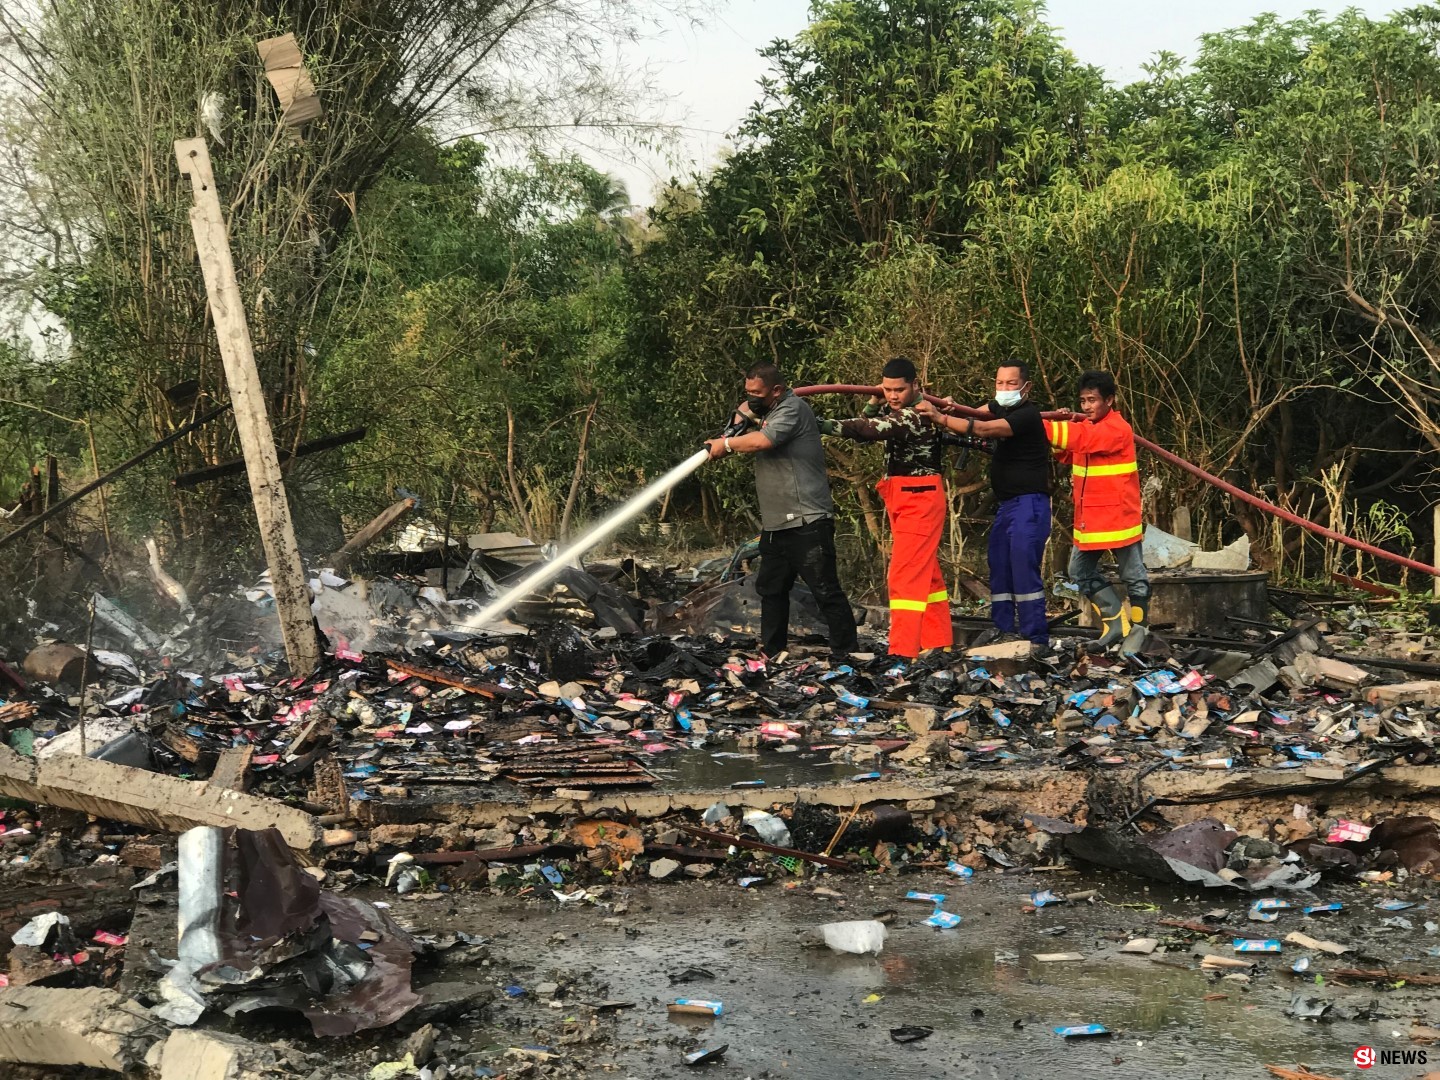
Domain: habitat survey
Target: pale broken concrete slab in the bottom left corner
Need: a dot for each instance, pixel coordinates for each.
(90, 1027)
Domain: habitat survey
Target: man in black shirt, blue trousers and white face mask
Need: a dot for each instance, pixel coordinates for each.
(1020, 476)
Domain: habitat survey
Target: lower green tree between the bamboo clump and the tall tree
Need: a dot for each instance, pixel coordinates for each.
(490, 323)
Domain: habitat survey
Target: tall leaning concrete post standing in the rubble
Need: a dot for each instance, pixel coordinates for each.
(248, 398)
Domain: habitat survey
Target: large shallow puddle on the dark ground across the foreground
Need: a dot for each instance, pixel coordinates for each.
(804, 1013)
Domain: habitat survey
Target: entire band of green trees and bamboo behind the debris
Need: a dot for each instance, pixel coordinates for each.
(1248, 241)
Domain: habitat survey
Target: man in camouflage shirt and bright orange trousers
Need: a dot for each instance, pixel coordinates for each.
(917, 506)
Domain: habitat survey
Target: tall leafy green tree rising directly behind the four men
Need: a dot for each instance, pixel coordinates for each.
(882, 135)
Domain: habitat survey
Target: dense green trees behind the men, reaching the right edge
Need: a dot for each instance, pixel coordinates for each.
(1246, 243)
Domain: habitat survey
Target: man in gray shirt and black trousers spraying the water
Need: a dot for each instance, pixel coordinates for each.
(797, 513)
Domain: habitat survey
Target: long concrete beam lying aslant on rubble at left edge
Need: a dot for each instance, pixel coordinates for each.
(119, 793)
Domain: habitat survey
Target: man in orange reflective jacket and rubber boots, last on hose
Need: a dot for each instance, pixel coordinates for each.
(1107, 493)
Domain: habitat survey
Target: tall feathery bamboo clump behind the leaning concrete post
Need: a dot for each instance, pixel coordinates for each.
(102, 91)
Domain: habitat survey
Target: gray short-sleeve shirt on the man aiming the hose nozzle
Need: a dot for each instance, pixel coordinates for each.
(790, 479)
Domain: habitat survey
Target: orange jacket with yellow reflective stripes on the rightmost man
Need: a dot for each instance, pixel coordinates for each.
(1104, 477)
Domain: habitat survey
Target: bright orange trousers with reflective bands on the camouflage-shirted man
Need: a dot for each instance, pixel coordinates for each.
(919, 604)
